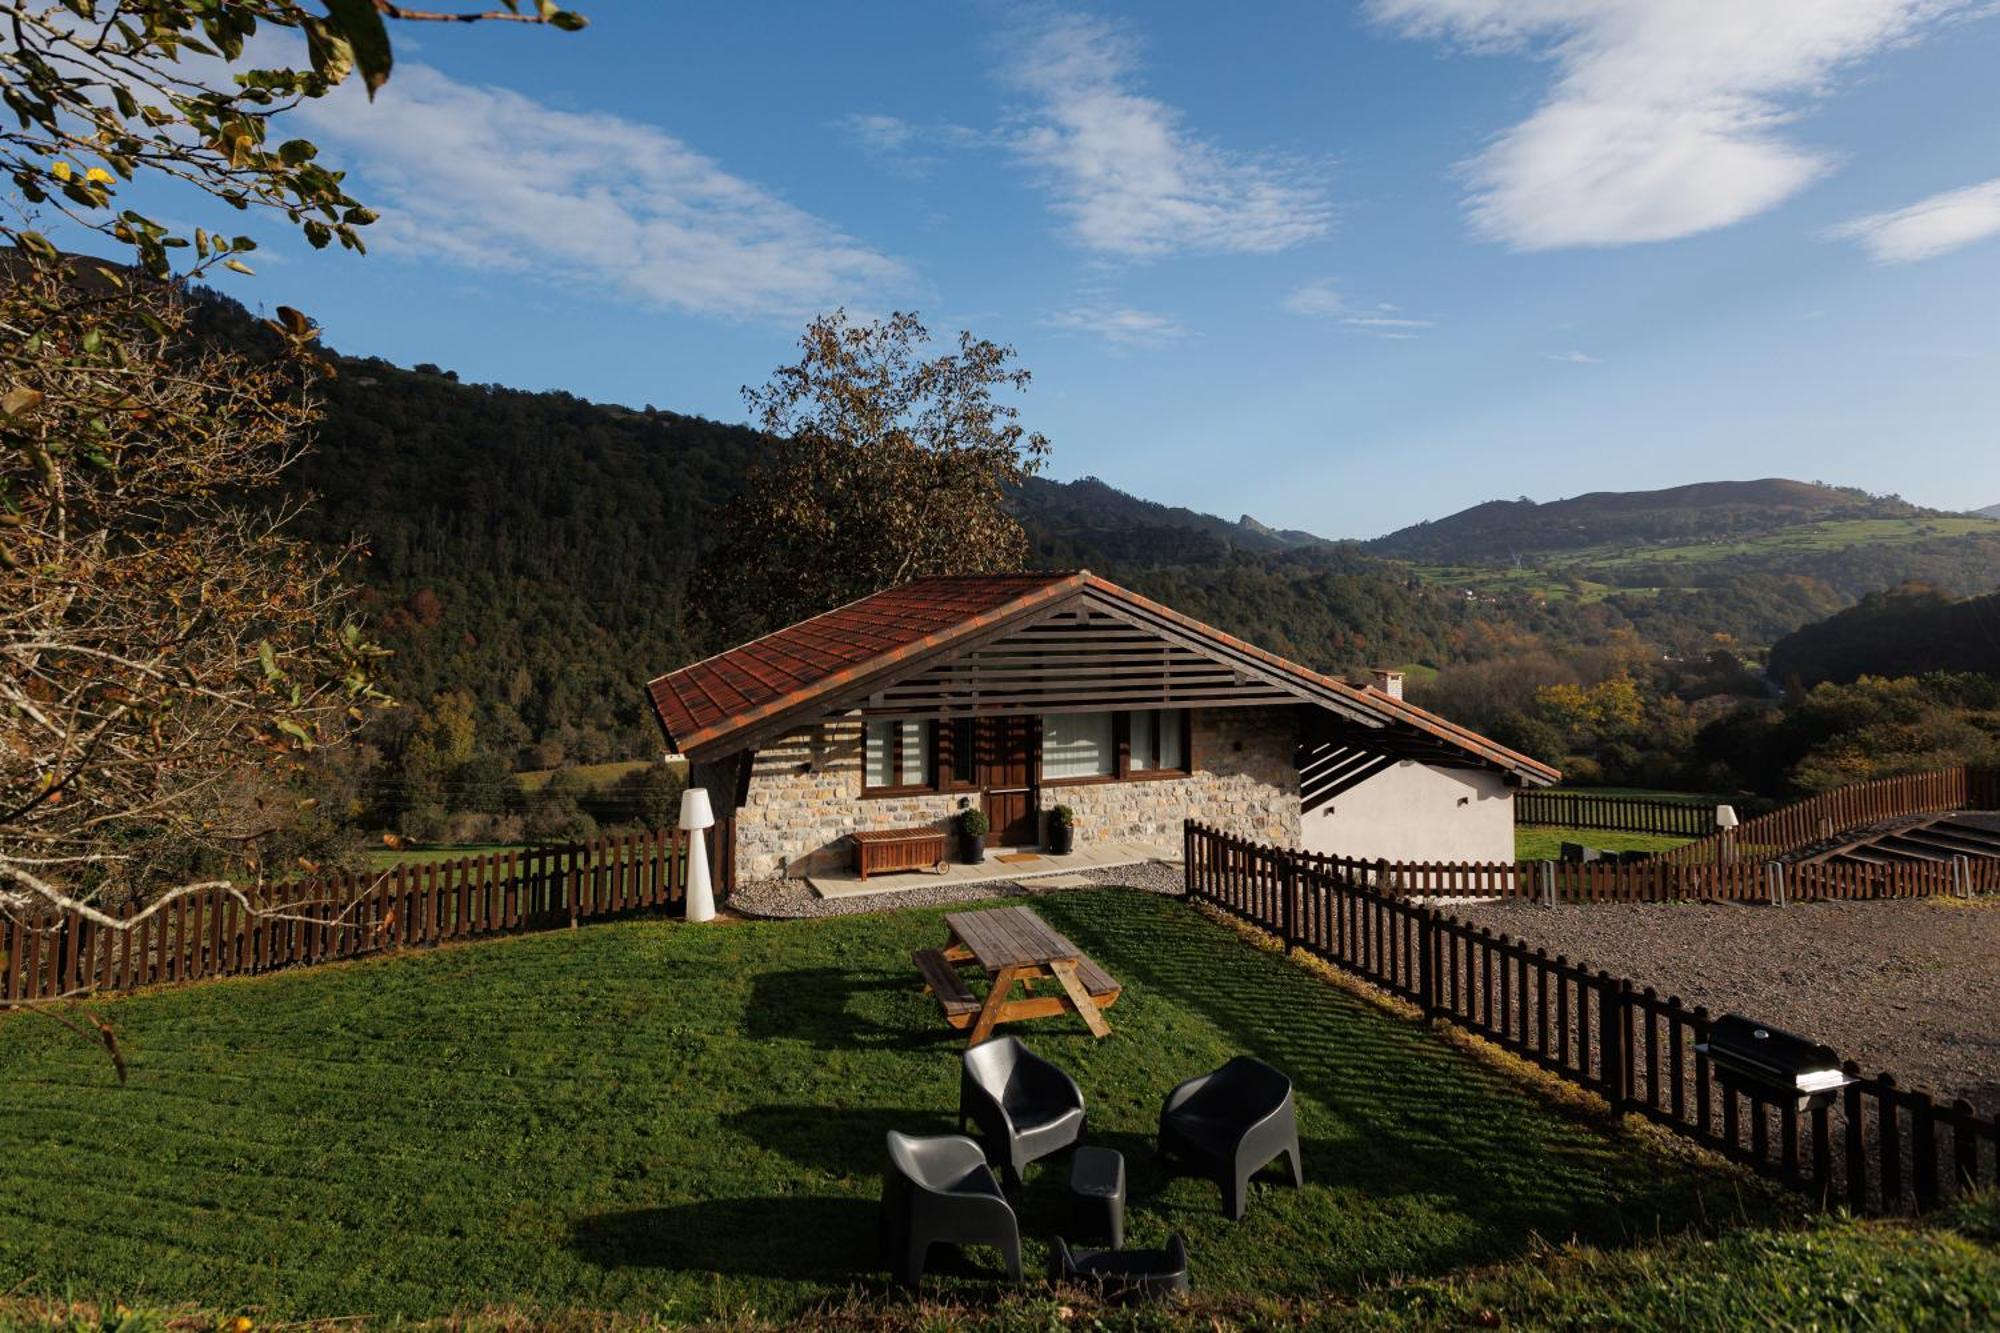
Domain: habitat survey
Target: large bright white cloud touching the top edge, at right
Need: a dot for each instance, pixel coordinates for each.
(1665, 117)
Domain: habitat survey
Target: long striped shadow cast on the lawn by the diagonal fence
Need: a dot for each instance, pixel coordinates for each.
(1389, 1108)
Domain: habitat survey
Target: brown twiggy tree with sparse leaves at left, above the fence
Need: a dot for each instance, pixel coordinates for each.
(167, 649)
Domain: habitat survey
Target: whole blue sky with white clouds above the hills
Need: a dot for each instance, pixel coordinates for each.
(1337, 267)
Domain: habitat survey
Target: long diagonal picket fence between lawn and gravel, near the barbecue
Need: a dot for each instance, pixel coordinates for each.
(1875, 1146)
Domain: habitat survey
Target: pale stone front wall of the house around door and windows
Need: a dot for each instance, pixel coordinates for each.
(807, 796)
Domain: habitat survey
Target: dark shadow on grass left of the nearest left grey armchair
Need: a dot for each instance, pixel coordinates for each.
(799, 1238)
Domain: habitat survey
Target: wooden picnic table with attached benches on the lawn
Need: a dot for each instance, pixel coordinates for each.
(1015, 950)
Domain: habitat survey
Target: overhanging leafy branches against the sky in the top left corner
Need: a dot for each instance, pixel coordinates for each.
(103, 93)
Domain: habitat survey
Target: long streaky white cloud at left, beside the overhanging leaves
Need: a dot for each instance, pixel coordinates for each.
(491, 179)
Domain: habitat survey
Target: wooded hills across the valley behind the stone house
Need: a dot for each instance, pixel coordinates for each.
(531, 557)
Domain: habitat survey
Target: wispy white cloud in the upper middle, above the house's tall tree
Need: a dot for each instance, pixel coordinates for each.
(1123, 169)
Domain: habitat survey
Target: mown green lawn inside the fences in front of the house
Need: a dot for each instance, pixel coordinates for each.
(685, 1124)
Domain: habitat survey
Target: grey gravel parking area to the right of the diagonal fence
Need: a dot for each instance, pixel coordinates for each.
(1909, 988)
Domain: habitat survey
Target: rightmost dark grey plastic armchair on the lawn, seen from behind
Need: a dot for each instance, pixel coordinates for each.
(1231, 1124)
